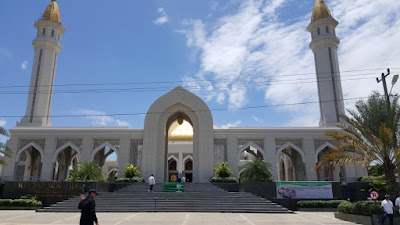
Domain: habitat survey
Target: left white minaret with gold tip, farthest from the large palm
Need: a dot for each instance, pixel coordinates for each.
(47, 47)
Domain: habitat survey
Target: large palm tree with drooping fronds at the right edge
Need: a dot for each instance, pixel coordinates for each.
(370, 135)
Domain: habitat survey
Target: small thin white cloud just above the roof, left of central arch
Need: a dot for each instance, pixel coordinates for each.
(100, 118)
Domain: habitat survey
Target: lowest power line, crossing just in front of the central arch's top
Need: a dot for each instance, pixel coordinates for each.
(193, 111)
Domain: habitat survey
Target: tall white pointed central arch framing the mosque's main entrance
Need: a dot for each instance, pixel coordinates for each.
(160, 118)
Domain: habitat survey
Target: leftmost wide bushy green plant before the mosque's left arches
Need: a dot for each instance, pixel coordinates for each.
(87, 171)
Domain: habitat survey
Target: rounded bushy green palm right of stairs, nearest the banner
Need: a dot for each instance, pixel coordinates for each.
(256, 170)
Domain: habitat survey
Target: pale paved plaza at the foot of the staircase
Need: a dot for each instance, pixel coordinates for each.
(300, 218)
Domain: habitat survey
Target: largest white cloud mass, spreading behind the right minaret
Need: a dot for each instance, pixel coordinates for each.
(254, 49)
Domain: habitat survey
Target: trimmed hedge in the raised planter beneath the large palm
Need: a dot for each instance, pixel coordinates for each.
(363, 208)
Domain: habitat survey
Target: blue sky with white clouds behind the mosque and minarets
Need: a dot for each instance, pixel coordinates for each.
(120, 56)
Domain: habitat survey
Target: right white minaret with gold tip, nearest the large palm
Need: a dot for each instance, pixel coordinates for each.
(324, 45)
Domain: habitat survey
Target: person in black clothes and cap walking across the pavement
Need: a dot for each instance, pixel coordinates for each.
(88, 208)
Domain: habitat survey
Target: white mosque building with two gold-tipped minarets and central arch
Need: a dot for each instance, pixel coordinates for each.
(178, 135)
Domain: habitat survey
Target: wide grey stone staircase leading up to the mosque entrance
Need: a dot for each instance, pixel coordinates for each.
(195, 198)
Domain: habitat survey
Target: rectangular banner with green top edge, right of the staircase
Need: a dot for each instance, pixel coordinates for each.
(304, 190)
